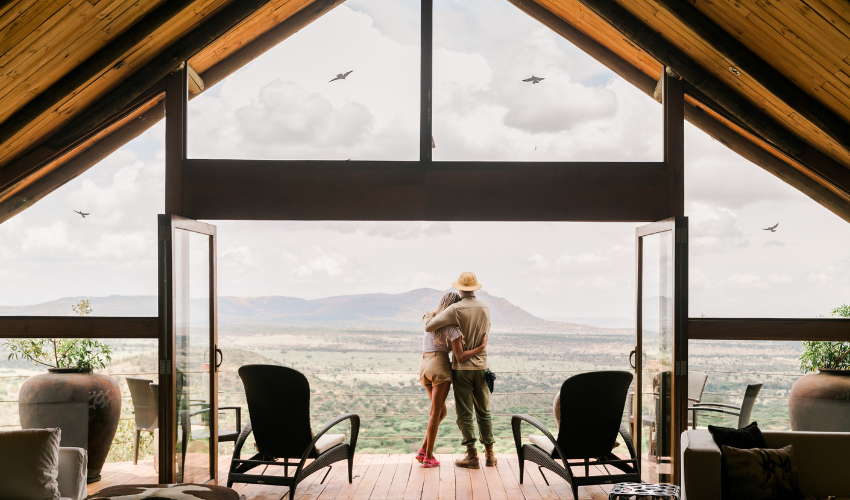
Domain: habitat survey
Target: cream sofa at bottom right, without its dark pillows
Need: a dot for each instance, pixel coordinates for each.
(821, 457)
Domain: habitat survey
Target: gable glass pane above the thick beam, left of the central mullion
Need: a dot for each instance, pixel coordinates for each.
(345, 87)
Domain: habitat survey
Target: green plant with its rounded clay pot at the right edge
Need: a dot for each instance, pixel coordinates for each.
(820, 400)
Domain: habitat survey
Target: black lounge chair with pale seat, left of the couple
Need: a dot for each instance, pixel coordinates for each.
(279, 408)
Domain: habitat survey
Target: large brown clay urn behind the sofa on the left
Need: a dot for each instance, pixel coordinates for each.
(86, 406)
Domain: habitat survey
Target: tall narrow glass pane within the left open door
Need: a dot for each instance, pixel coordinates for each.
(191, 305)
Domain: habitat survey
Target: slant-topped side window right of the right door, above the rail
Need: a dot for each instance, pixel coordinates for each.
(738, 266)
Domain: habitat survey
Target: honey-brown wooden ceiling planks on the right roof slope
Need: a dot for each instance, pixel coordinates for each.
(807, 42)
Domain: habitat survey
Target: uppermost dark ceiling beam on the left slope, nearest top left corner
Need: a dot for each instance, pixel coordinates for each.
(104, 60)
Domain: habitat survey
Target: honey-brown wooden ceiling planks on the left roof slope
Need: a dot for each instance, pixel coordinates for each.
(43, 44)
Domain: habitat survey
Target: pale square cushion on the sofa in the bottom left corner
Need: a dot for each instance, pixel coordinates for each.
(29, 464)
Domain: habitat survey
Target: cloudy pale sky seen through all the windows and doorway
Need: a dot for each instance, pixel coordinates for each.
(282, 106)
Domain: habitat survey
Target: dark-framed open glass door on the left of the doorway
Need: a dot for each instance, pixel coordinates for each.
(188, 381)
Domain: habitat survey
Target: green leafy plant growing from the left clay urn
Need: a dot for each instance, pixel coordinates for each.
(86, 354)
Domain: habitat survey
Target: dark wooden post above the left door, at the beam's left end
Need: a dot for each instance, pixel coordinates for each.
(176, 106)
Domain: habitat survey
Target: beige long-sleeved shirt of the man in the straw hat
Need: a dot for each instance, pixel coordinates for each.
(473, 318)
